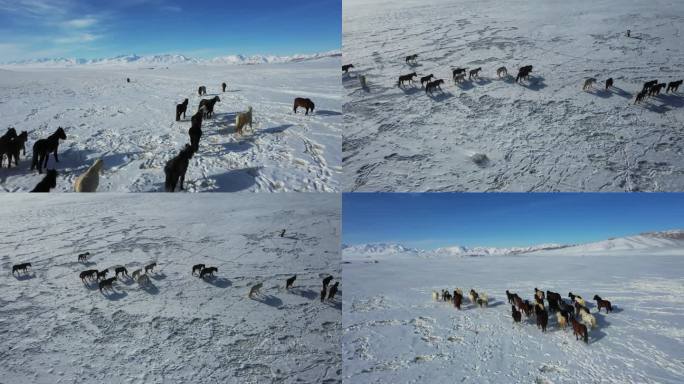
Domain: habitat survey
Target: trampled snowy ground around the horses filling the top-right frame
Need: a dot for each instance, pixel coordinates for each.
(492, 134)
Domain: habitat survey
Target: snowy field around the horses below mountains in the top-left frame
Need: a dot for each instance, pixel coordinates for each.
(133, 128)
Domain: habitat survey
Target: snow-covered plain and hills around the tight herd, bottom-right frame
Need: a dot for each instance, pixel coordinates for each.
(394, 332)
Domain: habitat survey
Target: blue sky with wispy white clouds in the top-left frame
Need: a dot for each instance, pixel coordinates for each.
(94, 29)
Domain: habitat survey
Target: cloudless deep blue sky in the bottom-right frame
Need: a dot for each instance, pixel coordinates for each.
(432, 220)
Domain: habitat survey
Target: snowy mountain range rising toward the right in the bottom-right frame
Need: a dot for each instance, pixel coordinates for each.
(672, 240)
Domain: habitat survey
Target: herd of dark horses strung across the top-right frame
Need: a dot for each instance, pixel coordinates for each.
(458, 75)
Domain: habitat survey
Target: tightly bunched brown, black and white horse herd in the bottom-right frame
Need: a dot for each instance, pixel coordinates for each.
(574, 312)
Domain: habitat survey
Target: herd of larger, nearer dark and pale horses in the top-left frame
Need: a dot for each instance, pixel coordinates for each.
(12, 145)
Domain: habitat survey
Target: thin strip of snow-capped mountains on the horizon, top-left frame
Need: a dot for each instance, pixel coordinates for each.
(170, 59)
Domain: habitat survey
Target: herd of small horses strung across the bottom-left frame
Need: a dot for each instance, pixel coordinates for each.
(142, 277)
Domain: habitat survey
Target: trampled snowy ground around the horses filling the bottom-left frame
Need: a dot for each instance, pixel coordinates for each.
(181, 329)
